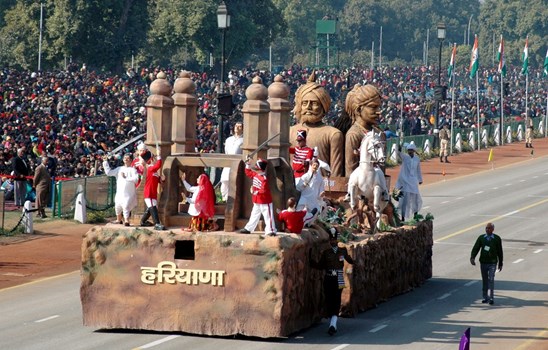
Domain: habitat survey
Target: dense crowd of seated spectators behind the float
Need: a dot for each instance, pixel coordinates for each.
(77, 115)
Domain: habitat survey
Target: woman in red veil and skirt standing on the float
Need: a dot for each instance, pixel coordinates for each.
(201, 203)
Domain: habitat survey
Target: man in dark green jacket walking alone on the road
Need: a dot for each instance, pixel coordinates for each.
(491, 254)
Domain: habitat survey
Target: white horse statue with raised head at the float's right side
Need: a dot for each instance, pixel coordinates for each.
(368, 179)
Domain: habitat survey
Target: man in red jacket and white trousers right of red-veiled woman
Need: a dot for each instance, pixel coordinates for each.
(261, 198)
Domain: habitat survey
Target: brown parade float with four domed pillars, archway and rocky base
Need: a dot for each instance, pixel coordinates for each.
(223, 282)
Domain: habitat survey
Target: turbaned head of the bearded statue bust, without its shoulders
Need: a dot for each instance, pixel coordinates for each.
(312, 102)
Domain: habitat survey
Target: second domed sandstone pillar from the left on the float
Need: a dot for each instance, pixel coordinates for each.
(184, 115)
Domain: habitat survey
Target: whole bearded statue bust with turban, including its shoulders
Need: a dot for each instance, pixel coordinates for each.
(312, 102)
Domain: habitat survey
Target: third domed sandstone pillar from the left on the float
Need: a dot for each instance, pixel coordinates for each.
(255, 110)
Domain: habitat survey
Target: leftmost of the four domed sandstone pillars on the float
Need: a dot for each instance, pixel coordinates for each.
(159, 109)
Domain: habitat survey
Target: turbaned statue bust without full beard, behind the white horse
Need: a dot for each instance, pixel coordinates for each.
(362, 105)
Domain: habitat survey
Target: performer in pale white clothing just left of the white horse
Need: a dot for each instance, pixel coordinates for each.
(312, 186)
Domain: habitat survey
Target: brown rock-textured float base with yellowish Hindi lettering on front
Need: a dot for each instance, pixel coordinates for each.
(266, 288)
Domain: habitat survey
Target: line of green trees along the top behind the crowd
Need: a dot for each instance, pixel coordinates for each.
(110, 34)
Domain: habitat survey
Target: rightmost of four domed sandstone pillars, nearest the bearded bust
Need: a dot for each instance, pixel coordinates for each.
(278, 122)
